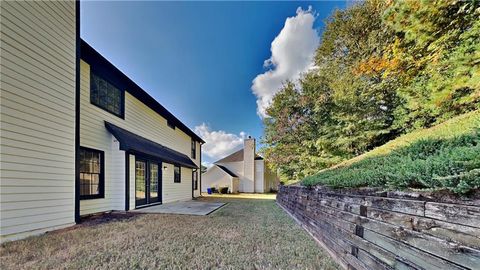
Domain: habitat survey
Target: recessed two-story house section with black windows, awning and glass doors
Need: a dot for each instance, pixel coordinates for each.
(133, 152)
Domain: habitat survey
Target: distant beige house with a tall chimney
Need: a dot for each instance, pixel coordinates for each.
(242, 171)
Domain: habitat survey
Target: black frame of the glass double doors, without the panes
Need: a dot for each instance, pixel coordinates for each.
(147, 162)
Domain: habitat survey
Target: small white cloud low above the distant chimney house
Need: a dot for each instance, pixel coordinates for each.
(218, 143)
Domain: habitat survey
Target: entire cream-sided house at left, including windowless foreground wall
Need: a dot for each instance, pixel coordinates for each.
(77, 135)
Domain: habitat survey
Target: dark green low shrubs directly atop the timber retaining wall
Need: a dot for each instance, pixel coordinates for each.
(431, 163)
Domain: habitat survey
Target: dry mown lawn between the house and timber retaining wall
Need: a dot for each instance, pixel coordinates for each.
(244, 234)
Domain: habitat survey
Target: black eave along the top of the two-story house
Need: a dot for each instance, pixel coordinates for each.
(103, 67)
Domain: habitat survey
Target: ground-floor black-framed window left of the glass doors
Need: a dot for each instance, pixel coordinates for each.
(92, 165)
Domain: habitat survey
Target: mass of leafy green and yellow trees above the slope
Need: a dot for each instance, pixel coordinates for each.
(382, 69)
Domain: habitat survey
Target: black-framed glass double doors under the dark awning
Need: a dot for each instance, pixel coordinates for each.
(147, 182)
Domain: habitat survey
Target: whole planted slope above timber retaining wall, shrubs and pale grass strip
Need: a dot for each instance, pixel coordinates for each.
(446, 156)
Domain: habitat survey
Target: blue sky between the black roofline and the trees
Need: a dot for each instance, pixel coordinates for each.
(198, 59)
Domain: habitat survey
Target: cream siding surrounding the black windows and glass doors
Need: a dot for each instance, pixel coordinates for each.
(141, 120)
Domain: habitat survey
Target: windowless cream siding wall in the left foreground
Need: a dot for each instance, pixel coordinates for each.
(37, 117)
